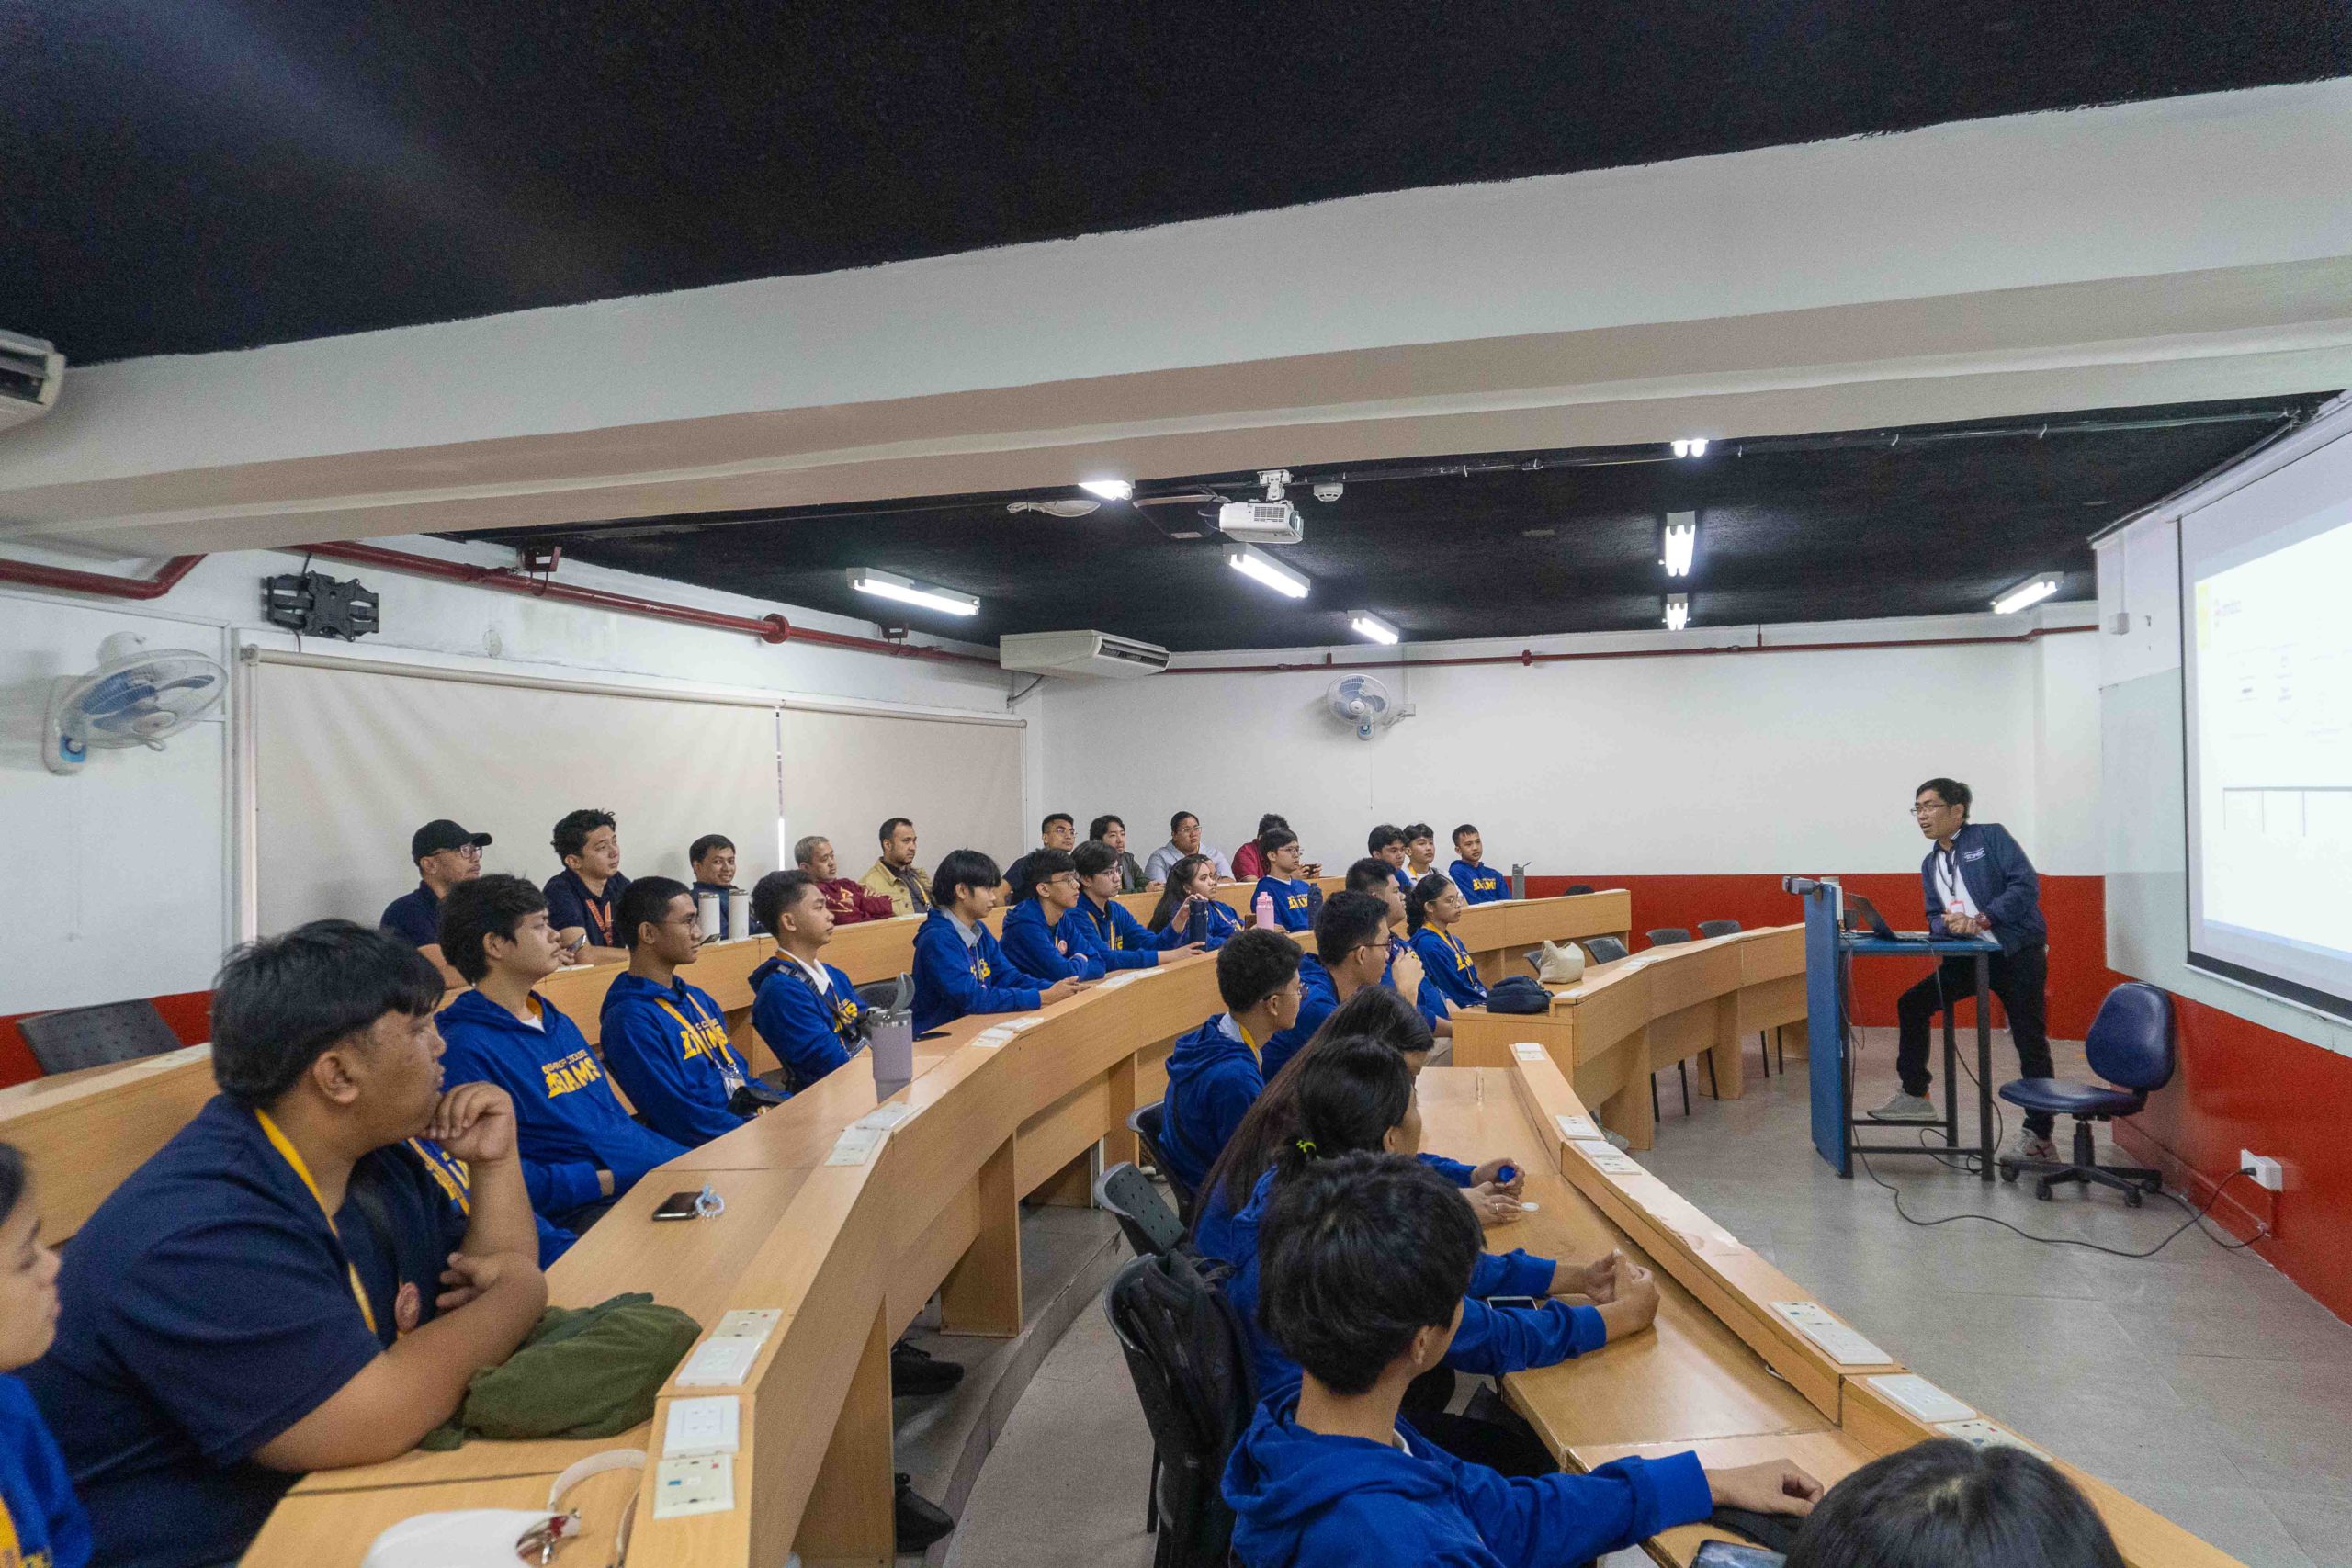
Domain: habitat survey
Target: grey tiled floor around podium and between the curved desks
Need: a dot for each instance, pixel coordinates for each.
(2198, 1381)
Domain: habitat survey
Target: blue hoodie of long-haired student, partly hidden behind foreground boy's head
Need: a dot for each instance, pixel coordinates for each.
(1490, 1341)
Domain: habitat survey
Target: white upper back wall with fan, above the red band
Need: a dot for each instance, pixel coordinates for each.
(1732, 763)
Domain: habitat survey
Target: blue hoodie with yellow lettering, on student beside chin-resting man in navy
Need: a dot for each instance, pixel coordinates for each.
(568, 1120)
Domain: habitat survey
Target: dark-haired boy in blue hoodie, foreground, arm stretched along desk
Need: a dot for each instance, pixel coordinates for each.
(1365, 1271)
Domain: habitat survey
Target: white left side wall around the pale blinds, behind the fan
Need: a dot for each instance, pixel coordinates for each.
(140, 847)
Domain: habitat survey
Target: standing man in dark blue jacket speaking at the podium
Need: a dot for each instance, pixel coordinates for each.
(1977, 883)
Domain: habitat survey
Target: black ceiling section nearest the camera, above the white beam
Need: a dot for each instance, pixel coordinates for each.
(192, 175)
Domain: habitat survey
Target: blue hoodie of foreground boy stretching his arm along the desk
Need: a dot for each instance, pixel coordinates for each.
(1314, 1501)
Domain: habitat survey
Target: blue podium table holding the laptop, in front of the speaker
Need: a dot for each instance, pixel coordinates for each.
(1829, 963)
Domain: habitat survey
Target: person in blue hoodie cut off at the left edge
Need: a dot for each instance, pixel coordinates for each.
(39, 1510)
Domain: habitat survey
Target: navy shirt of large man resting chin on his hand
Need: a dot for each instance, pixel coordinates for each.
(206, 1311)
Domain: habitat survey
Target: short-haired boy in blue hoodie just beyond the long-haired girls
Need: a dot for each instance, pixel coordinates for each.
(1215, 1073)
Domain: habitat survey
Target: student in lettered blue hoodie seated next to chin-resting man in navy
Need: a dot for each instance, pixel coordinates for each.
(580, 1148)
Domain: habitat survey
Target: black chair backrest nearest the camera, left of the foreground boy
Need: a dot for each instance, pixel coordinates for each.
(1189, 1360)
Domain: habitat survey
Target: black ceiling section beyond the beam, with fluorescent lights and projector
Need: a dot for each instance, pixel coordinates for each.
(1815, 528)
